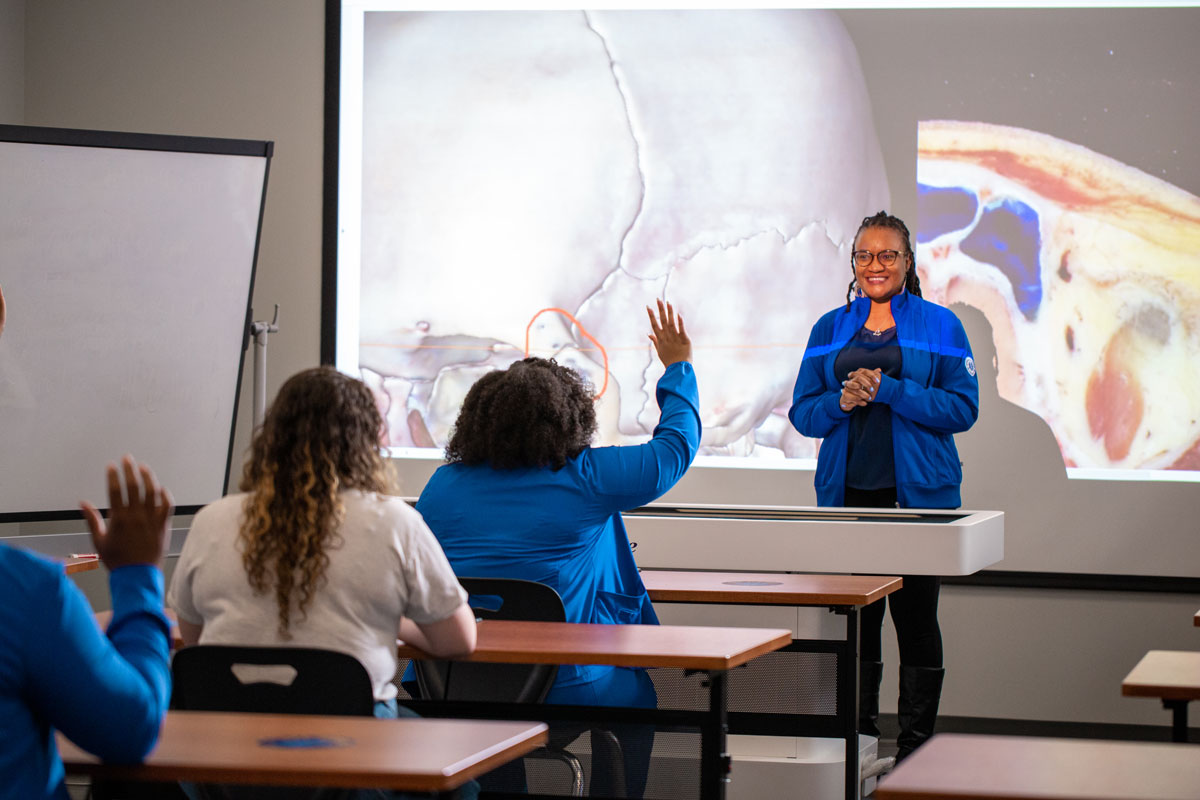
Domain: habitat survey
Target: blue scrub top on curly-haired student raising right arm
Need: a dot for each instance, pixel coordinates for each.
(563, 528)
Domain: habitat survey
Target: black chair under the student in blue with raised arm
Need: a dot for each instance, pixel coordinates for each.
(513, 599)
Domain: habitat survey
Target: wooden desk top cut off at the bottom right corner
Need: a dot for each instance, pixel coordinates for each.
(961, 767)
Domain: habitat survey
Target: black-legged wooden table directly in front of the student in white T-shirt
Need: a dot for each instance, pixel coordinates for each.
(712, 651)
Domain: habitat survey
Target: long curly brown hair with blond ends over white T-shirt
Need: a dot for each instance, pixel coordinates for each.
(321, 436)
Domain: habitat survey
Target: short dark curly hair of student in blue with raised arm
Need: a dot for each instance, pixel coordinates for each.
(537, 413)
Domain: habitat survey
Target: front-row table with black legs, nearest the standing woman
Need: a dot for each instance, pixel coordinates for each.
(845, 594)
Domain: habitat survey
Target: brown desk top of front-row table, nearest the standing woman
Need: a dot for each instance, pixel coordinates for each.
(767, 588)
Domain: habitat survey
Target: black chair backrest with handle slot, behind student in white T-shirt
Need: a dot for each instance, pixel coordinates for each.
(271, 681)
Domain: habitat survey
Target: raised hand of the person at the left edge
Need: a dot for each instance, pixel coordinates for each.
(137, 520)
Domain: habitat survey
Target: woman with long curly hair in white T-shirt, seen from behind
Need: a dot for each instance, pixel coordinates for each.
(316, 552)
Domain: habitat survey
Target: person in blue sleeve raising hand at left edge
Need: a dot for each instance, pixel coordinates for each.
(106, 691)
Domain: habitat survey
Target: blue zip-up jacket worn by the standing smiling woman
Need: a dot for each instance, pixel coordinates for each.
(937, 396)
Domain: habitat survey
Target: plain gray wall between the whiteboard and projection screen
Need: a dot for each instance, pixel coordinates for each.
(226, 69)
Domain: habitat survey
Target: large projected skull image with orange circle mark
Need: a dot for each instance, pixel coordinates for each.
(532, 181)
